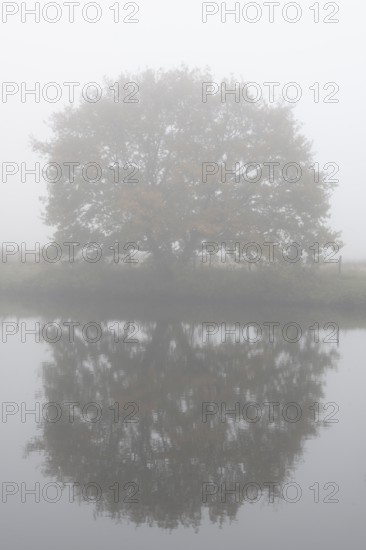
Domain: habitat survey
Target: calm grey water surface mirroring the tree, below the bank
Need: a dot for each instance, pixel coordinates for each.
(130, 442)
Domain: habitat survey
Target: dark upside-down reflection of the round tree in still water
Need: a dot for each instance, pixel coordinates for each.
(170, 452)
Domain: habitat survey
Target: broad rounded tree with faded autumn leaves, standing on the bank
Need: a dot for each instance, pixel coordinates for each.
(166, 207)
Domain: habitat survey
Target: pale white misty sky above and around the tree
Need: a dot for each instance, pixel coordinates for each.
(171, 33)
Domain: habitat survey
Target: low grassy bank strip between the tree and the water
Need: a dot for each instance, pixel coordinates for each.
(205, 284)
